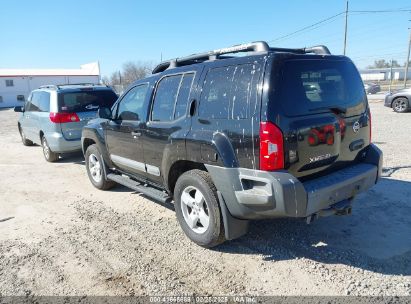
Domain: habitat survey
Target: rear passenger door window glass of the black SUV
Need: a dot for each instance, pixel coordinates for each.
(166, 94)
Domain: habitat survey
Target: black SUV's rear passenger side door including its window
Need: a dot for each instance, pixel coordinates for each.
(169, 122)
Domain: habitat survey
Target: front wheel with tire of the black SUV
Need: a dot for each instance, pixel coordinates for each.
(97, 169)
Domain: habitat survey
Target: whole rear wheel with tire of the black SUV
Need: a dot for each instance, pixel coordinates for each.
(197, 208)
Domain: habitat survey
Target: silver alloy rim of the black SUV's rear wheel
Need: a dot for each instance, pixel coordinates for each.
(195, 209)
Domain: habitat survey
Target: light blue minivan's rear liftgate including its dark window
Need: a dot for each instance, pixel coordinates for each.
(84, 103)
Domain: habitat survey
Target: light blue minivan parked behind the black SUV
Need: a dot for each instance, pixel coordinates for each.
(54, 115)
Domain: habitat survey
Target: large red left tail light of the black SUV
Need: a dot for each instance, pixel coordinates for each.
(271, 147)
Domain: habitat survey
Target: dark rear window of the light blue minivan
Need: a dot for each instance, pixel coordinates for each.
(85, 101)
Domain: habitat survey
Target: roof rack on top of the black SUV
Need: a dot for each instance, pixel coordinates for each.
(258, 47)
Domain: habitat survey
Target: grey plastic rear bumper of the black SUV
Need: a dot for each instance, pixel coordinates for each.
(254, 194)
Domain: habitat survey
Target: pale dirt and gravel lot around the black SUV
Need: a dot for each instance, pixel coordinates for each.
(61, 236)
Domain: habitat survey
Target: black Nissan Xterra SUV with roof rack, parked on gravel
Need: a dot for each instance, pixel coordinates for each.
(228, 139)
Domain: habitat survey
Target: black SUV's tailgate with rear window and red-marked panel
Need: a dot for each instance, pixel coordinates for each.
(323, 114)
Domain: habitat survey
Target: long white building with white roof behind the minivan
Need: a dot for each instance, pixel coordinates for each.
(16, 84)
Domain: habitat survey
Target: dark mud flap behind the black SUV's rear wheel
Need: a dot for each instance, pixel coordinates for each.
(233, 227)
